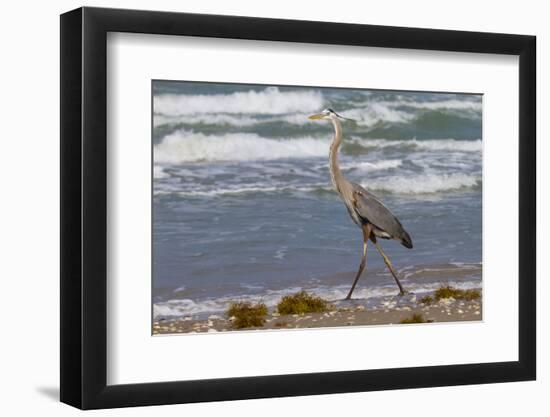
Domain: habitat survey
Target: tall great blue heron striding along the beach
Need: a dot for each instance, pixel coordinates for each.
(373, 217)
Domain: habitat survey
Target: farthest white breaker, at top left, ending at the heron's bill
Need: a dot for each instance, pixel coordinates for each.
(268, 101)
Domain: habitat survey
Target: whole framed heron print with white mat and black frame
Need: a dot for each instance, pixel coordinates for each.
(258, 207)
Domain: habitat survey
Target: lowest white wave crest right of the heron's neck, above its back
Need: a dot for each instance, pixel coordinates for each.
(424, 183)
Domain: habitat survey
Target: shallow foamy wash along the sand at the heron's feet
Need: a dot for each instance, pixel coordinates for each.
(421, 280)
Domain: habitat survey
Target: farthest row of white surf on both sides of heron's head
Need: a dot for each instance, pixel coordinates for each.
(293, 107)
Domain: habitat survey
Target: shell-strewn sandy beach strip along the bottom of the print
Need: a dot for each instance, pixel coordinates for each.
(388, 310)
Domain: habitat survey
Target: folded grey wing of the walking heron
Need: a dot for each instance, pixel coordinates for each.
(374, 211)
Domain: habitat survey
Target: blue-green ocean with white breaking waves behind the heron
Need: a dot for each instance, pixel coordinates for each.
(243, 206)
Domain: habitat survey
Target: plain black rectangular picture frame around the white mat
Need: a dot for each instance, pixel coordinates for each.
(84, 207)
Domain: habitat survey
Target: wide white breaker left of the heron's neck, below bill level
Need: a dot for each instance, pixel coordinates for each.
(185, 146)
